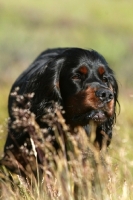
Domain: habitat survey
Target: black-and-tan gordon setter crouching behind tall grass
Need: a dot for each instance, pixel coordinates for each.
(77, 79)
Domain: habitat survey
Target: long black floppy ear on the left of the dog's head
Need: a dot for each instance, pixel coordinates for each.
(46, 86)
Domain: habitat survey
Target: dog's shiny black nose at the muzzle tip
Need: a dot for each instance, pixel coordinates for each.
(104, 95)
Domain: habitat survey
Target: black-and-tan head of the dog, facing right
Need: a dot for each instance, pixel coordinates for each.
(88, 87)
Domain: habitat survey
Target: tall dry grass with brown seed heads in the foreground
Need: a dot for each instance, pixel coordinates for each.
(74, 170)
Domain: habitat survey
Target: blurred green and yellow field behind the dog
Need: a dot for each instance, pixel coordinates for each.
(29, 27)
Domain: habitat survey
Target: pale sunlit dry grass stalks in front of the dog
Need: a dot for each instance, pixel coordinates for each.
(66, 175)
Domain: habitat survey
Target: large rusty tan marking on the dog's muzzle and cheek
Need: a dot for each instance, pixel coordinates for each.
(85, 101)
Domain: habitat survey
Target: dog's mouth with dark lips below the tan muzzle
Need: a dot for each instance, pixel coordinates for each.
(96, 115)
